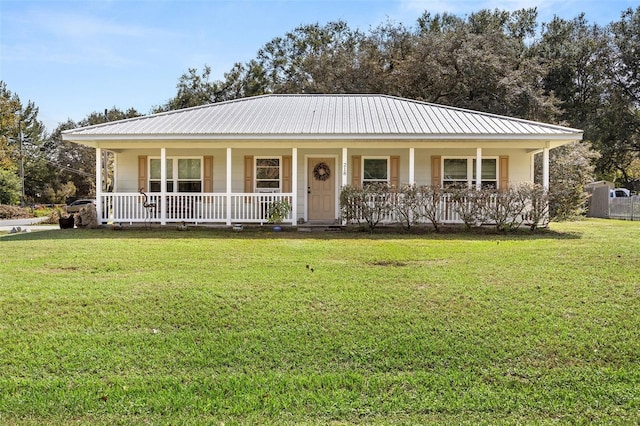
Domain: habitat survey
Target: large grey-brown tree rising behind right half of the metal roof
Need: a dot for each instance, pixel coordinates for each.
(482, 63)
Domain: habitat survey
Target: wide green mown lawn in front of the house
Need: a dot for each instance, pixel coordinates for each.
(211, 326)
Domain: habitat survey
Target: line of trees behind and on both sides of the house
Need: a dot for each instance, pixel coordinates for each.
(566, 71)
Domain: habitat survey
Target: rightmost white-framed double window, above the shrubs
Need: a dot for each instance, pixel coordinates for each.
(462, 171)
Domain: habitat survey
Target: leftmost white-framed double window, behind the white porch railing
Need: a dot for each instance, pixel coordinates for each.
(183, 175)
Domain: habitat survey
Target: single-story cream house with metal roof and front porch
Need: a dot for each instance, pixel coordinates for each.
(226, 162)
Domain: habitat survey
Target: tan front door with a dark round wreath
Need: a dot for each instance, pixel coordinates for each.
(321, 190)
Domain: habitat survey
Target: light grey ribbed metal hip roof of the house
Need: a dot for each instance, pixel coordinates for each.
(295, 116)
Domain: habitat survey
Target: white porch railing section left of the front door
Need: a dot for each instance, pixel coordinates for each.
(191, 207)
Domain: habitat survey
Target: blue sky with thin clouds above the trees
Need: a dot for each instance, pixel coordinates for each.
(75, 57)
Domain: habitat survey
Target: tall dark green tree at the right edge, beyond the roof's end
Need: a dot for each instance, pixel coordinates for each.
(593, 74)
